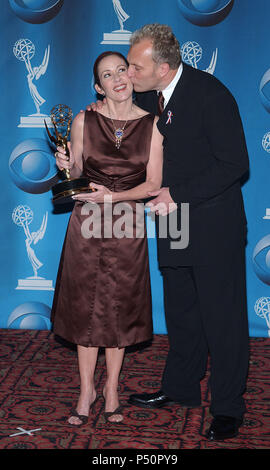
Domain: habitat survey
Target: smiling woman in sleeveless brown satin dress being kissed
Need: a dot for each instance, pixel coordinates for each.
(103, 296)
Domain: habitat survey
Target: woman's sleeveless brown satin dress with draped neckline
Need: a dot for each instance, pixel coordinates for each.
(103, 294)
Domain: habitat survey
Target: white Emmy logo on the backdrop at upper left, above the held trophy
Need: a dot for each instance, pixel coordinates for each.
(24, 50)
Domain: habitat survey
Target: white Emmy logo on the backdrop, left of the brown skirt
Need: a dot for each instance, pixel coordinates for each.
(23, 217)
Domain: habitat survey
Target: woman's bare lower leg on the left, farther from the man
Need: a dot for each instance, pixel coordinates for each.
(87, 358)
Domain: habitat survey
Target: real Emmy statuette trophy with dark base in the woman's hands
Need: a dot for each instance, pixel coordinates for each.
(61, 117)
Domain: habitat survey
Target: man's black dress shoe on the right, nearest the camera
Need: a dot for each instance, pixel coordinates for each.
(223, 427)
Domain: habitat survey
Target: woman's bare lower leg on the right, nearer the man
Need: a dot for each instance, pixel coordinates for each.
(114, 361)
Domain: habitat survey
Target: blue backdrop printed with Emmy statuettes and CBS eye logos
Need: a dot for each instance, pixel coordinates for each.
(48, 51)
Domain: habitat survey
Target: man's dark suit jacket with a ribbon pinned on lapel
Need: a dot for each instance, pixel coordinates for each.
(205, 157)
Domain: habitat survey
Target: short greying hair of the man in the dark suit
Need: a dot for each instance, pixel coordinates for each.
(166, 47)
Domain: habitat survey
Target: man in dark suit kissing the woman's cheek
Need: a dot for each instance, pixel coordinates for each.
(205, 158)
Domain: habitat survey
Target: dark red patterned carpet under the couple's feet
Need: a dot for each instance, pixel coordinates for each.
(40, 383)
